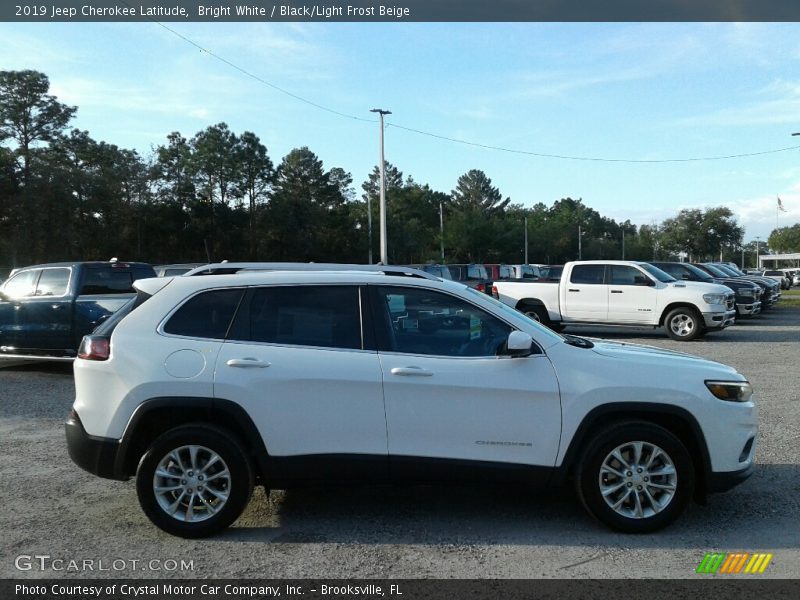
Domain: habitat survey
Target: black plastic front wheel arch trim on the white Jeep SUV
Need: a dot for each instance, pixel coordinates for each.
(674, 419)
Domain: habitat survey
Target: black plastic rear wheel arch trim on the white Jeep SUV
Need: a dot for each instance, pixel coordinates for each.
(156, 416)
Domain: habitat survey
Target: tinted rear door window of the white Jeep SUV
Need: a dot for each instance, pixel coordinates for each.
(320, 316)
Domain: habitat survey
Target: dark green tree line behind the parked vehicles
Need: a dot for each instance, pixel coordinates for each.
(218, 195)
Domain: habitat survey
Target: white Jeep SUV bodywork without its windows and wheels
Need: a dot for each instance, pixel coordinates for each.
(314, 407)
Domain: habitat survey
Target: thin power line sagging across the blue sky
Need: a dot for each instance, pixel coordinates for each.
(456, 140)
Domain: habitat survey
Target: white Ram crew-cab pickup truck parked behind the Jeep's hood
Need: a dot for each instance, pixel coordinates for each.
(613, 292)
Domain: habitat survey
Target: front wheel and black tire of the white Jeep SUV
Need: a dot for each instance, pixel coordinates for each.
(590, 475)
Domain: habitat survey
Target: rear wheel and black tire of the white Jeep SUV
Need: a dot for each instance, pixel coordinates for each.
(209, 512)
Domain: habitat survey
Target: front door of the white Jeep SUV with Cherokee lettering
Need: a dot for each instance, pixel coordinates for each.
(451, 402)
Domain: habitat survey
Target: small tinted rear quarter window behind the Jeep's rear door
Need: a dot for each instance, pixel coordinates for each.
(206, 315)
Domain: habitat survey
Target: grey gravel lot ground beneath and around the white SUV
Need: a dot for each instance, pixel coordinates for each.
(51, 507)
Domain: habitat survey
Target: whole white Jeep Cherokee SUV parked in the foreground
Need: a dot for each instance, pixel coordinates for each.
(203, 387)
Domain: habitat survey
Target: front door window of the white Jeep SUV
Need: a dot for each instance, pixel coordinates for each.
(420, 321)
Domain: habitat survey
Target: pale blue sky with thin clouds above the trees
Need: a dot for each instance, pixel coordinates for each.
(634, 91)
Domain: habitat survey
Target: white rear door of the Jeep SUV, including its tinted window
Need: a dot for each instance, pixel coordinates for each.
(300, 361)
